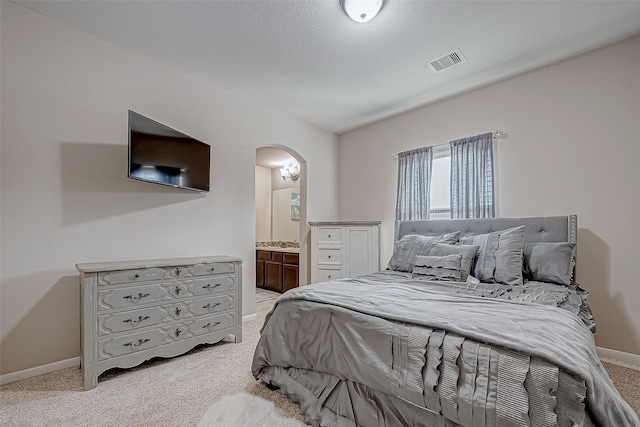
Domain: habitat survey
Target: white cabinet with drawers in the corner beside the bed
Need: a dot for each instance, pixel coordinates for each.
(344, 249)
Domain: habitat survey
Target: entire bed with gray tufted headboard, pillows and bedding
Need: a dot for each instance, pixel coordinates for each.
(473, 323)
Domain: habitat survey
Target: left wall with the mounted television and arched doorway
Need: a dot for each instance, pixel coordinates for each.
(65, 196)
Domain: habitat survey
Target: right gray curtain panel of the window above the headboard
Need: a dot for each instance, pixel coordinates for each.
(472, 192)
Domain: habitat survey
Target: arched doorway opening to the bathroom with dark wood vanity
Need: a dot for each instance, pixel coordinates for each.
(278, 219)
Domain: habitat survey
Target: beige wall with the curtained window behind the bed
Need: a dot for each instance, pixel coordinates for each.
(572, 149)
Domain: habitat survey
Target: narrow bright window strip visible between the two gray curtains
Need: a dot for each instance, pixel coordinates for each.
(440, 184)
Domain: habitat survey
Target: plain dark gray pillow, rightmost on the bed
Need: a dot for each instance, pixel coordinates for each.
(550, 262)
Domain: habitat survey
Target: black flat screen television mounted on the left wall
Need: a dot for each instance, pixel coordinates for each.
(161, 155)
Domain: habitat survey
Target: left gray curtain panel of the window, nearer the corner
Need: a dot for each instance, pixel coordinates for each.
(414, 177)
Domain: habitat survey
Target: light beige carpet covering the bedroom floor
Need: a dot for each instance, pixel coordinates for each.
(172, 392)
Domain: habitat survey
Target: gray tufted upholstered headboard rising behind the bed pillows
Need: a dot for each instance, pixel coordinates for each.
(538, 229)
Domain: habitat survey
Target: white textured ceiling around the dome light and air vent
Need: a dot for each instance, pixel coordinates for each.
(308, 58)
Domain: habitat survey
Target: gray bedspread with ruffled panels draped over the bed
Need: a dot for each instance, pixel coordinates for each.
(386, 350)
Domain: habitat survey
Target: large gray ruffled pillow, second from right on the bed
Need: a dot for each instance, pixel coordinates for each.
(499, 256)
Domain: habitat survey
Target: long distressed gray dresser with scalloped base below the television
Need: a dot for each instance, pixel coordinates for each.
(133, 311)
